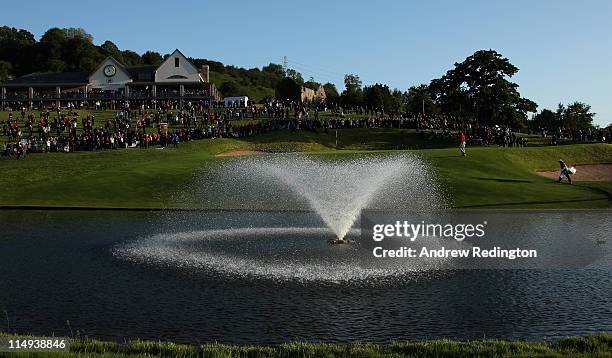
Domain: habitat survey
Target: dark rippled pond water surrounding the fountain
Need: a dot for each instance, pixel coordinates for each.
(63, 266)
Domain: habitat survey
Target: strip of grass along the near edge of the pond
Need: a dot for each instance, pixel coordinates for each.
(590, 346)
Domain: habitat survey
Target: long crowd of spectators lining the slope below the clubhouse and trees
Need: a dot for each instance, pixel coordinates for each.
(65, 131)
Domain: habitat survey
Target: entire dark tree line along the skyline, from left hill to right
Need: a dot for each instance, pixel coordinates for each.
(479, 87)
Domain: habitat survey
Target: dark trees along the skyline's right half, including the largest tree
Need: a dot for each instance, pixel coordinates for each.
(480, 87)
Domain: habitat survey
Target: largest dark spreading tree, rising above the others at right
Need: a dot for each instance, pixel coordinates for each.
(480, 86)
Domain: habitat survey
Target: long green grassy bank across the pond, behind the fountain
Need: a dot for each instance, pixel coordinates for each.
(489, 177)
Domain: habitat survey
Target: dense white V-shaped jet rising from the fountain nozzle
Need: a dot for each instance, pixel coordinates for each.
(339, 189)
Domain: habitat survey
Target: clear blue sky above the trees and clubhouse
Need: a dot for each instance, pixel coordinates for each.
(562, 48)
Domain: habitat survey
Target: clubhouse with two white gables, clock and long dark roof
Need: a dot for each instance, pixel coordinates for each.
(175, 79)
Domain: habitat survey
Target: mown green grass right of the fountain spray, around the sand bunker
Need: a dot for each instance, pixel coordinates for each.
(506, 177)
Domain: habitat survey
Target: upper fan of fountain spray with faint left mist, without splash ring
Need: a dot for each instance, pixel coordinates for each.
(336, 189)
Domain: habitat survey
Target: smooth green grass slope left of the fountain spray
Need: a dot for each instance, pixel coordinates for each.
(120, 178)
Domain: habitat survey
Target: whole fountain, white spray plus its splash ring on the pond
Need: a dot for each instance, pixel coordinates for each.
(273, 208)
